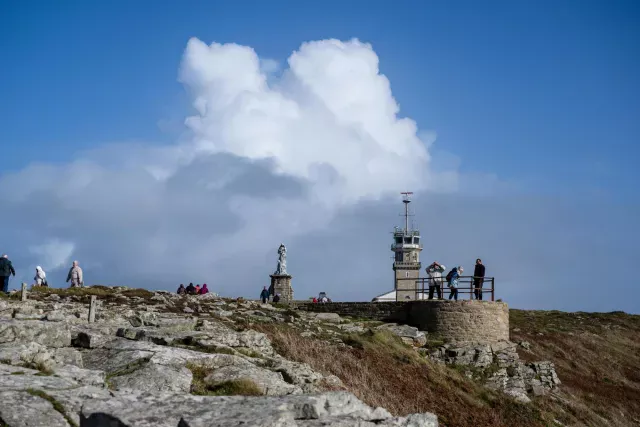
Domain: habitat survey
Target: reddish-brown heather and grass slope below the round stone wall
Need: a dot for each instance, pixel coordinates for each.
(596, 355)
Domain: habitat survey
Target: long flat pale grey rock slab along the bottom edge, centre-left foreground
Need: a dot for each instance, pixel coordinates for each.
(166, 410)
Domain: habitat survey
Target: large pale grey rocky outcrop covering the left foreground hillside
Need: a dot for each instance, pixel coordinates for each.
(139, 363)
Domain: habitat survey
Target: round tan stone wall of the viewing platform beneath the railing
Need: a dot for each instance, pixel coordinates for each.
(461, 321)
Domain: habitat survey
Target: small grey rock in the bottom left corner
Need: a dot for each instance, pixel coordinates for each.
(21, 409)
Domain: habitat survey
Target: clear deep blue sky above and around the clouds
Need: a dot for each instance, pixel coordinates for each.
(544, 96)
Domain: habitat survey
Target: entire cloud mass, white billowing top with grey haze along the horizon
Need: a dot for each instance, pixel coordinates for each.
(312, 155)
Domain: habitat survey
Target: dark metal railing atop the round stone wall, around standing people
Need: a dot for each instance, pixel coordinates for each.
(466, 285)
